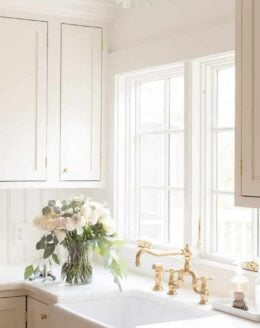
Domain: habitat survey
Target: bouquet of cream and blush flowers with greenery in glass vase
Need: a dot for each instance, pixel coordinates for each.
(84, 228)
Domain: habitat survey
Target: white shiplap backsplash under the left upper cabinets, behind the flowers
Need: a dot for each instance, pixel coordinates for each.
(18, 208)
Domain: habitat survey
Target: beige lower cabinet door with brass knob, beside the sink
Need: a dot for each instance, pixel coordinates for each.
(38, 314)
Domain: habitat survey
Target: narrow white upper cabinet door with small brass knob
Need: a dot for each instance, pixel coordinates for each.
(81, 58)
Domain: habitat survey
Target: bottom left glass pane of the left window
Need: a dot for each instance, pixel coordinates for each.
(151, 204)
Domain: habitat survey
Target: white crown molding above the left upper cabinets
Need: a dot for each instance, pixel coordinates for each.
(98, 10)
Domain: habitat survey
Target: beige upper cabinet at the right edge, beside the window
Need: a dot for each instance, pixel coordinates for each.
(248, 103)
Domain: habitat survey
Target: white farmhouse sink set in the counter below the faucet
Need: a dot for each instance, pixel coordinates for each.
(123, 310)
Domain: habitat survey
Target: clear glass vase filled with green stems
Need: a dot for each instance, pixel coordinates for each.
(78, 267)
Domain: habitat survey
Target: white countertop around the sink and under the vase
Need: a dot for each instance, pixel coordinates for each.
(11, 279)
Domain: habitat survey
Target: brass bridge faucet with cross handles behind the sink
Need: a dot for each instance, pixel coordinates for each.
(176, 279)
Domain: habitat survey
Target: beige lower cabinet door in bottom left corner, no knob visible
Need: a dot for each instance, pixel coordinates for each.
(12, 312)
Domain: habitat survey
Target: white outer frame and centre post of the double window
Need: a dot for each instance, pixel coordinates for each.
(197, 230)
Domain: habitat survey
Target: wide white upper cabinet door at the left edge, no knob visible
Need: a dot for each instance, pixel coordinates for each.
(23, 69)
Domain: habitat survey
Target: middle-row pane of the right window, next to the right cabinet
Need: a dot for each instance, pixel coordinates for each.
(225, 160)
